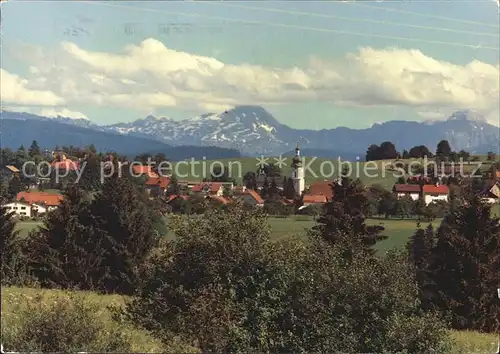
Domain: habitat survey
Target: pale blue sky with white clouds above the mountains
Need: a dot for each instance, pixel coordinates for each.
(312, 65)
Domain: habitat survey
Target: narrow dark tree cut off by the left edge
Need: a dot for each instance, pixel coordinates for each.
(9, 245)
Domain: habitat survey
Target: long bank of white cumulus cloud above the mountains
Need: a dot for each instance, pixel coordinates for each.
(150, 76)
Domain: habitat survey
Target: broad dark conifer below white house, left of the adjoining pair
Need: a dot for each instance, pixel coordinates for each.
(66, 252)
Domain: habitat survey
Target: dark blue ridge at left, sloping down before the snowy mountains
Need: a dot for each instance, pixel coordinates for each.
(22, 130)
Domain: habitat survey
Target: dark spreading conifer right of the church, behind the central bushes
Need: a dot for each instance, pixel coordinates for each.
(344, 216)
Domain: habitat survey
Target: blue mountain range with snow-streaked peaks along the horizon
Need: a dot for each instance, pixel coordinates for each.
(252, 131)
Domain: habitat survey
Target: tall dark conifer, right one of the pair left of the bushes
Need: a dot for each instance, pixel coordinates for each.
(125, 226)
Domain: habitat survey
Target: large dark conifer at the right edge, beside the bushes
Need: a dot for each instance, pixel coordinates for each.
(465, 264)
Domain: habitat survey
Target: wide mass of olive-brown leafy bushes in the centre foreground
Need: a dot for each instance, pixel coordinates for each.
(225, 287)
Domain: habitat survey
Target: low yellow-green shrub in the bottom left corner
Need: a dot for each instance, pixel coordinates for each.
(66, 323)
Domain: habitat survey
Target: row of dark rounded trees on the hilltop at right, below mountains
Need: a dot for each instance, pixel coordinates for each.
(387, 151)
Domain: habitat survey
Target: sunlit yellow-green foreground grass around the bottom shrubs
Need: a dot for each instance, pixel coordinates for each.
(464, 341)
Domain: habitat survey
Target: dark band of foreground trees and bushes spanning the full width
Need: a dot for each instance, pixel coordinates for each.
(222, 284)
